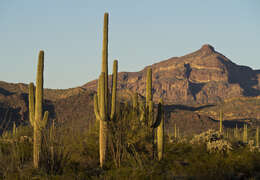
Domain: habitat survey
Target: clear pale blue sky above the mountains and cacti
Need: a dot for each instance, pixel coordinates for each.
(141, 32)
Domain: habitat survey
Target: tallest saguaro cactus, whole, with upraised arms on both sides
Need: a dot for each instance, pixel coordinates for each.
(102, 107)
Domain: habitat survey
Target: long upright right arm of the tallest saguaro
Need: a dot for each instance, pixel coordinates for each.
(114, 85)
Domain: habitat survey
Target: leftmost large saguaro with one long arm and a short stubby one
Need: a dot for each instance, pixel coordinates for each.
(36, 109)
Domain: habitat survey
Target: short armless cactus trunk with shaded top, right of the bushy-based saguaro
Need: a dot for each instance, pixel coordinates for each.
(160, 132)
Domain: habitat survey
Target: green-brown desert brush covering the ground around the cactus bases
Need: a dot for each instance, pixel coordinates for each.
(70, 153)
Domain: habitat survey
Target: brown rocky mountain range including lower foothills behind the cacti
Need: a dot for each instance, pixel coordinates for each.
(194, 87)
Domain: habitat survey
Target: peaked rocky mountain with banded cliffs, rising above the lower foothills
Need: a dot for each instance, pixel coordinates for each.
(204, 76)
